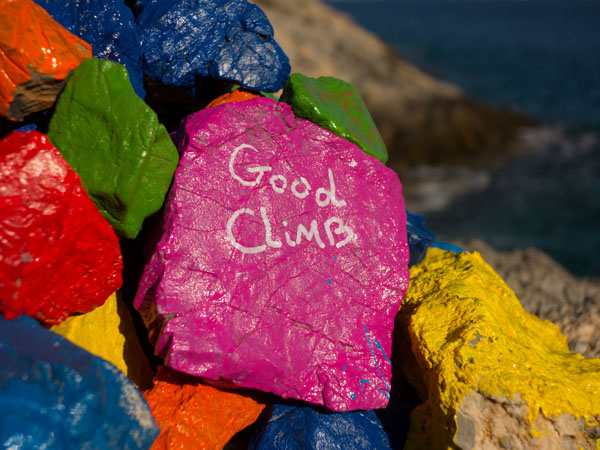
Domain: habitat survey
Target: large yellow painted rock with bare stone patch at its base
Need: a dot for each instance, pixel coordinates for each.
(492, 374)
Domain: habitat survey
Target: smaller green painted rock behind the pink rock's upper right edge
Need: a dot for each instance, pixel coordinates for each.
(336, 106)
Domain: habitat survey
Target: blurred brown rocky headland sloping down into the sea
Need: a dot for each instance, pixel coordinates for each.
(422, 120)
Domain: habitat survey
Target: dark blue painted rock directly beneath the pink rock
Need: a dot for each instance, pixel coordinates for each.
(291, 427)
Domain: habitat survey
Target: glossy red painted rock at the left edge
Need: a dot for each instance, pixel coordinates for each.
(58, 255)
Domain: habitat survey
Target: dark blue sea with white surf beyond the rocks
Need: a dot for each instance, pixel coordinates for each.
(538, 57)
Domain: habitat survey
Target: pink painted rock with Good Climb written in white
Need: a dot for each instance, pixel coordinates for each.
(283, 259)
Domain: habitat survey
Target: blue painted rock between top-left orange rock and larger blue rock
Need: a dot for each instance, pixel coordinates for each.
(109, 26)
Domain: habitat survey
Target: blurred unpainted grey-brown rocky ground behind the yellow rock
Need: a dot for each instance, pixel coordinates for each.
(549, 291)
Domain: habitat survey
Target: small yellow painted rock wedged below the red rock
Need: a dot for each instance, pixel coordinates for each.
(119, 345)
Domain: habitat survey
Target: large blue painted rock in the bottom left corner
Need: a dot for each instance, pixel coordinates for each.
(54, 394)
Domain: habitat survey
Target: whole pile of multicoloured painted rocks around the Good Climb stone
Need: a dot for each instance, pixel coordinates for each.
(277, 253)
